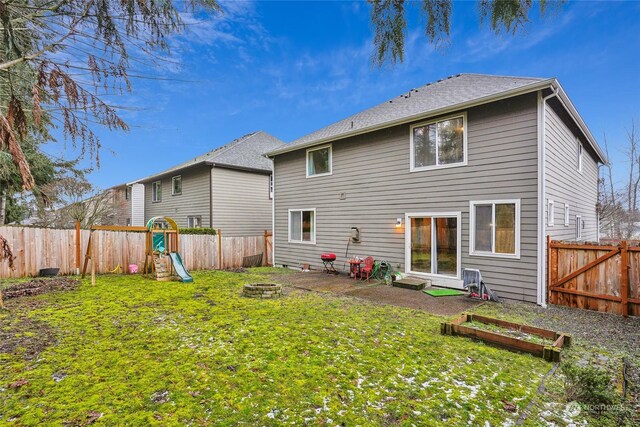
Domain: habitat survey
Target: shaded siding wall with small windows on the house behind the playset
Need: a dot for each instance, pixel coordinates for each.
(194, 200)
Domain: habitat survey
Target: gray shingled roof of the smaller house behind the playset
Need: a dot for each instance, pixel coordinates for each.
(246, 152)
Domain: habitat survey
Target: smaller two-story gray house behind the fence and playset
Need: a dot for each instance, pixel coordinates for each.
(227, 188)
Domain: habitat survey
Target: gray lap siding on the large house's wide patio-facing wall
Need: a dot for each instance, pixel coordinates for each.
(373, 172)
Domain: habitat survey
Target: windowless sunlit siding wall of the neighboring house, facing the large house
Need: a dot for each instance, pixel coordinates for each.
(241, 203)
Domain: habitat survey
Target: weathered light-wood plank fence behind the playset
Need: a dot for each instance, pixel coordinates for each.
(36, 248)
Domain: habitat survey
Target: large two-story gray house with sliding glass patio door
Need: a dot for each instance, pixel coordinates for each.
(473, 171)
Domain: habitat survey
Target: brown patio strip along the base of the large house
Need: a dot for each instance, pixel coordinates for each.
(378, 292)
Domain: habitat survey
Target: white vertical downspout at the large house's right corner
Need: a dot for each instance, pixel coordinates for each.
(542, 192)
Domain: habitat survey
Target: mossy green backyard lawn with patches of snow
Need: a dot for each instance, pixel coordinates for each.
(140, 352)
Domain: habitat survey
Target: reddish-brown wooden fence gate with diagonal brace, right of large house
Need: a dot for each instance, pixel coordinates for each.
(601, 277)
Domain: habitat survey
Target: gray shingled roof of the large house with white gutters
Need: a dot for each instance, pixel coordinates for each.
(453, 93)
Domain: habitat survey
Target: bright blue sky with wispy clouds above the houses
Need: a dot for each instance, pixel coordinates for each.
(290, 68)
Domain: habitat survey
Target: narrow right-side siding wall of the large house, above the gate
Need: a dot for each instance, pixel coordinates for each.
(565, 184)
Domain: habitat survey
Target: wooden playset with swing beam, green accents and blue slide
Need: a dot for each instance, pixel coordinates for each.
(162, 259)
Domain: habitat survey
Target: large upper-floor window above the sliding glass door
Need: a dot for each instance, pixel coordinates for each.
(440, 143)
